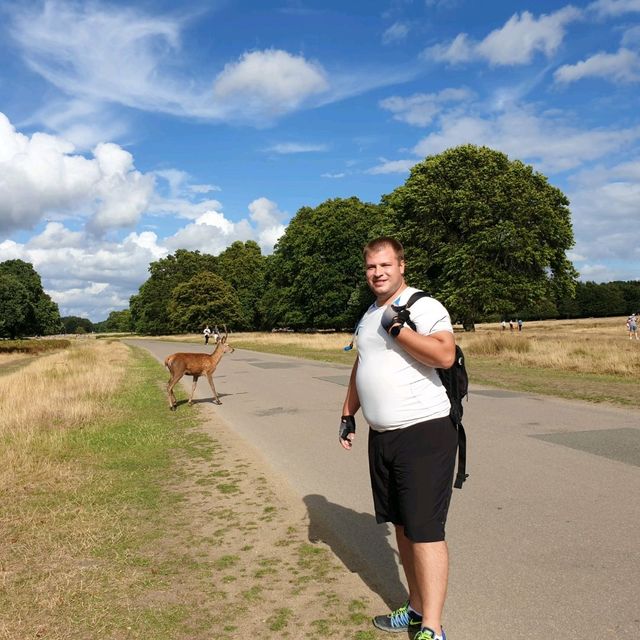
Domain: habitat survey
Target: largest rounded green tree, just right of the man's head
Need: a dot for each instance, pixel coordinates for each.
(485, 234)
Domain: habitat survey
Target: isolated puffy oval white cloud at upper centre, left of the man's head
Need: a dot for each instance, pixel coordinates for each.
(266, 84)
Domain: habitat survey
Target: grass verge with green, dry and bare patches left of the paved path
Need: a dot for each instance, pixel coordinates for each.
(134, 522)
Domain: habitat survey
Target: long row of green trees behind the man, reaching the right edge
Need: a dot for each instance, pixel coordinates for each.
(485, 235)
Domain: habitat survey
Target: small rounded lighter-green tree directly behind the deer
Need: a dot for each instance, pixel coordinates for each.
(205, 299)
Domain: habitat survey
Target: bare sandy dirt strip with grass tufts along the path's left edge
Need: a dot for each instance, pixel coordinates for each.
(258, 573)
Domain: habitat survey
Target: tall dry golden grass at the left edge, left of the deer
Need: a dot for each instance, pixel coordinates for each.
(55, 392)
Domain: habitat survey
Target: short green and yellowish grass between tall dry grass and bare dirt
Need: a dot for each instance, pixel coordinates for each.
(88, 555)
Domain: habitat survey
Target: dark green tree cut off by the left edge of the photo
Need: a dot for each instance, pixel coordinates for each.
(24, 306)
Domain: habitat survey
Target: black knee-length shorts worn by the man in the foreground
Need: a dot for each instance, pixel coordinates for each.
(412, 476)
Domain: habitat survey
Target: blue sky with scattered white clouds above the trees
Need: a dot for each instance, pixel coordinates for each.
(129, 130)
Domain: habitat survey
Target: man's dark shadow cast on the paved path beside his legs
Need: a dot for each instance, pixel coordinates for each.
(361, 543)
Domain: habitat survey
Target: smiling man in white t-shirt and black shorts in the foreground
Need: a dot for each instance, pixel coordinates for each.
(412, 440)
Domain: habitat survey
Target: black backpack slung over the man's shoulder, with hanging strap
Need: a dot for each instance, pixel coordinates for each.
(456, 382)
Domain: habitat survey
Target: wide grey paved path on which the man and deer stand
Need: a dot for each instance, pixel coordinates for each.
(544, 537)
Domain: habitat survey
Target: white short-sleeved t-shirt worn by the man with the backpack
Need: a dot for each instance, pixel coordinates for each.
(395, 390)
